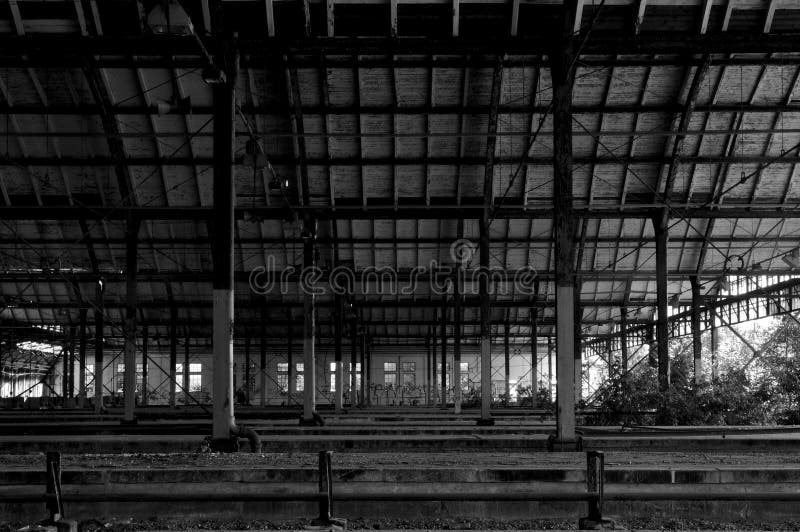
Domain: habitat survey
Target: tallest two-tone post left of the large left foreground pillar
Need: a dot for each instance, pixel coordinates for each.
(131, 266)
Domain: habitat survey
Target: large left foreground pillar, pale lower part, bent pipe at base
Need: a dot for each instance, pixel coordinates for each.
(224, 101)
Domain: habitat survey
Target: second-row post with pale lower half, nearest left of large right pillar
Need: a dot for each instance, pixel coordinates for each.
(486, 339)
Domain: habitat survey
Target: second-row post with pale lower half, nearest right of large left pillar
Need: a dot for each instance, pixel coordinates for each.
(309, 328)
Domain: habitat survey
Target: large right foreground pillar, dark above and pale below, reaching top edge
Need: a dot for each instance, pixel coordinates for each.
(563, 74)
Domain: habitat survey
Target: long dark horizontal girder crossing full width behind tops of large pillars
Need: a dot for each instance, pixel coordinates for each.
(60, 50)
